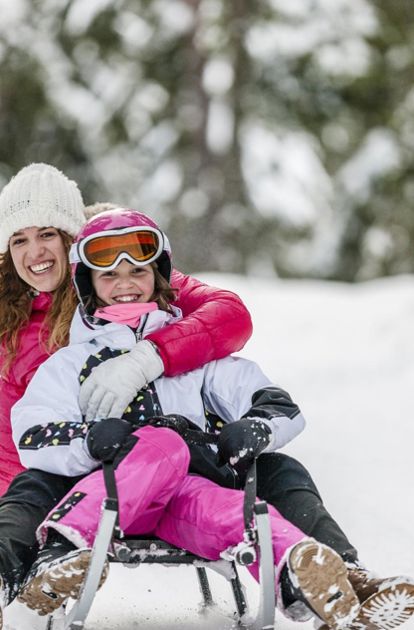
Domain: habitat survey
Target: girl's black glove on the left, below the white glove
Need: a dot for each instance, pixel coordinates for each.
(105, 438)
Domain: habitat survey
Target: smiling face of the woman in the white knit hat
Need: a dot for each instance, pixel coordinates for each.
(39, 257)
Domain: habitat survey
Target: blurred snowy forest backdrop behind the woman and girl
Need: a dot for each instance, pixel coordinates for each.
(265, 136)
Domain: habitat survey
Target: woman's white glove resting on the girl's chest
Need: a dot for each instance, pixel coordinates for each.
(111, 386)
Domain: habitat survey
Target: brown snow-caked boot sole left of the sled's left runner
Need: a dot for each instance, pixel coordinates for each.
(47, 591)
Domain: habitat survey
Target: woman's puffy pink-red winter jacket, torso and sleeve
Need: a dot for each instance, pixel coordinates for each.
(215, 324)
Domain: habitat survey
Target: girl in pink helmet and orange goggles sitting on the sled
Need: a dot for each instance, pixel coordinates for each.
(121, 270)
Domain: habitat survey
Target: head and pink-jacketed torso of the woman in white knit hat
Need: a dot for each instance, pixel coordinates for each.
(41, 210)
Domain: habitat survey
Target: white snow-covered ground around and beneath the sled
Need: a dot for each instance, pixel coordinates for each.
(346, 354)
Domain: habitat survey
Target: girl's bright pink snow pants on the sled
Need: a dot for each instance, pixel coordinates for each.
(158, 497)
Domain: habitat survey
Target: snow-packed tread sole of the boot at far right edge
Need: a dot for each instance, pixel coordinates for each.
(387, 609)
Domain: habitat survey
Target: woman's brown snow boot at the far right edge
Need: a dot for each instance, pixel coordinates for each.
(385, 603)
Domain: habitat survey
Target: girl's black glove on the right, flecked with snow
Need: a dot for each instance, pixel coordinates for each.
(240, 442)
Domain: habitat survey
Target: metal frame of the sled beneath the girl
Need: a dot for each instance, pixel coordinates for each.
(134, 551)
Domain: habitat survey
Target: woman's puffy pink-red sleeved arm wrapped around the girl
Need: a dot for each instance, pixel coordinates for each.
(216, 323)
